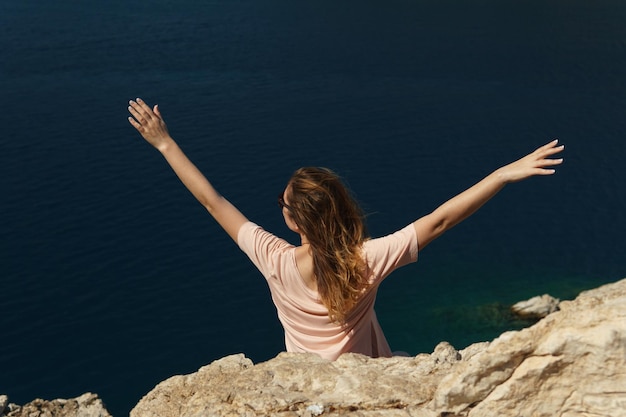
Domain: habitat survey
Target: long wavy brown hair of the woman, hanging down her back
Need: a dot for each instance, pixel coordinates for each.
(327, 214)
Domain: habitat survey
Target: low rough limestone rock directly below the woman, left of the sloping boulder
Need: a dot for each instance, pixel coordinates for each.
(304, 385)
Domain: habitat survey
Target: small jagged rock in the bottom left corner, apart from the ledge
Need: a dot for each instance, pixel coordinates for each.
(87, 405)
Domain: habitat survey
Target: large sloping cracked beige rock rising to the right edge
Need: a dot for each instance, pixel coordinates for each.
(571, 363)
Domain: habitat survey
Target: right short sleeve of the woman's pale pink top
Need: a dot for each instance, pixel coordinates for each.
(385, 254)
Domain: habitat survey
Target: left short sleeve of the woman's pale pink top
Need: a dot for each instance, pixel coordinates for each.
(263, 248)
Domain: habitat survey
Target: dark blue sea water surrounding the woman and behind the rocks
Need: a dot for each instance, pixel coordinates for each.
(112, 278)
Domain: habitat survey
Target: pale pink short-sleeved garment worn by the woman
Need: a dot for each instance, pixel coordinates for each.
(303, 316)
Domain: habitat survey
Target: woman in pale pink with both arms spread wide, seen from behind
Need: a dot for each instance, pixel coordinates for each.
(324, 290)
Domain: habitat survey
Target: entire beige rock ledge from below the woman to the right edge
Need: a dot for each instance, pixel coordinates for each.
(571, 363)
